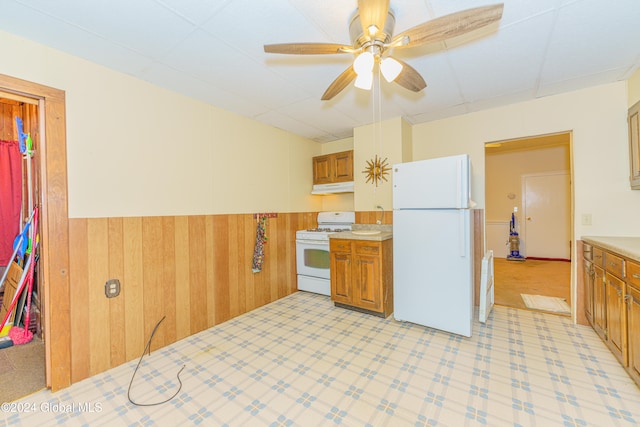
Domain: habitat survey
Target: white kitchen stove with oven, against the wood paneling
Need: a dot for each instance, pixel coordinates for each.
(312, 251)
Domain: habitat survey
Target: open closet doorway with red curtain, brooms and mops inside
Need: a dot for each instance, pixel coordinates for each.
(25, 361)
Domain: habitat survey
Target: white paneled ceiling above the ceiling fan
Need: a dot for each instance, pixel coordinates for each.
(212, 50)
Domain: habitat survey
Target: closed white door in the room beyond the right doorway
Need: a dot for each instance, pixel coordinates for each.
(546, 220)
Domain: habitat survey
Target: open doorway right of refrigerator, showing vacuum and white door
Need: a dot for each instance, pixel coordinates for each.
(528, 191)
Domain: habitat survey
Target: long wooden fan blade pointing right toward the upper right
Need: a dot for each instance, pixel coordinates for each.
(449, 26)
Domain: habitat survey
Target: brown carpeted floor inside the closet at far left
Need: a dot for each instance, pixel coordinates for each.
(21, 370)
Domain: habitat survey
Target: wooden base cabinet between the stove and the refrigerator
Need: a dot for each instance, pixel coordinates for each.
(362, 275)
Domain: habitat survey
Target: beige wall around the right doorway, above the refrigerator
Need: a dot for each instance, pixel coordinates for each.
(597, 118)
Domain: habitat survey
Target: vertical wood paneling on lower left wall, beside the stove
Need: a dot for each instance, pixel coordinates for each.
(195, 271)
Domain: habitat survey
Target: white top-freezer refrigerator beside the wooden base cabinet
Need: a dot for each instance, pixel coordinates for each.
(433, 243)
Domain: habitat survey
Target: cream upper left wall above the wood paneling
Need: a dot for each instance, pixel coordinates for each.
(136, 149)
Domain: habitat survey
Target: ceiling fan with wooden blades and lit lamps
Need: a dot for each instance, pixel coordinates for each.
(372, 39)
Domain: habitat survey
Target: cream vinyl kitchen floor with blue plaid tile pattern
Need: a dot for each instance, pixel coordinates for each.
(300, 361)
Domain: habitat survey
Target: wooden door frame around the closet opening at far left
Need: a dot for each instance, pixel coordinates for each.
(54, 225)
